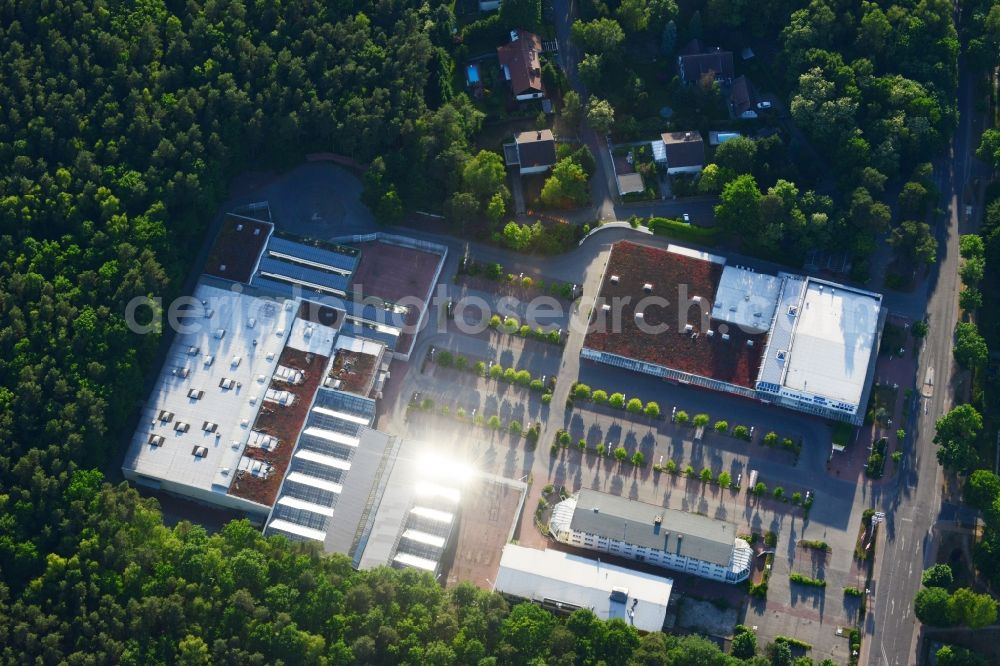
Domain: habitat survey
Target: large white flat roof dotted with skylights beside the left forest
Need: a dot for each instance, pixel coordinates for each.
(220, 353)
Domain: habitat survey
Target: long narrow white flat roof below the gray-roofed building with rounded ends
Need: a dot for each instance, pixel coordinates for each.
(558, 577)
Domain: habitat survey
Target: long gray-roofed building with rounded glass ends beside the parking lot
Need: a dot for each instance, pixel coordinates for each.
(679, 540)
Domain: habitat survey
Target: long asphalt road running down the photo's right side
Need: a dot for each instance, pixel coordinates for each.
(914, 510)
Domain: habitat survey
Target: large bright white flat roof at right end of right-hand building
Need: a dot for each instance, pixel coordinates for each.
(833, 341)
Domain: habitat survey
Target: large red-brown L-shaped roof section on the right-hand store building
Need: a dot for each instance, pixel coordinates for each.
(676, 279)
